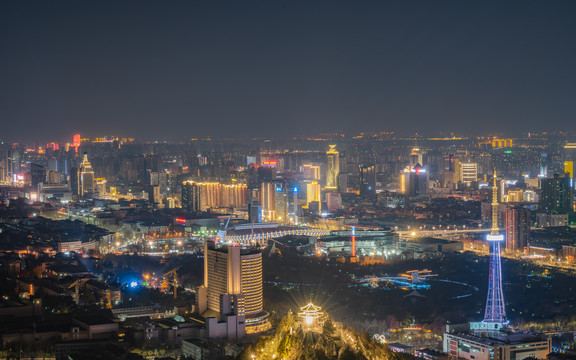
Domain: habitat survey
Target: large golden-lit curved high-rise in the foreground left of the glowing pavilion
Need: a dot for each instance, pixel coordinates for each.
(231, 298)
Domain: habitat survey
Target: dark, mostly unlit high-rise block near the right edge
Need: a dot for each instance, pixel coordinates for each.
(557, 195)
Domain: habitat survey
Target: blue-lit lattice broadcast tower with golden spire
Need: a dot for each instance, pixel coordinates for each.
(495, 308)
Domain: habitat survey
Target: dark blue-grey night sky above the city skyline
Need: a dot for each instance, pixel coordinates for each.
(177, 69)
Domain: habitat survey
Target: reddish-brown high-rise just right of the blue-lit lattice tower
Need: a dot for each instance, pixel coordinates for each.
(517, 228)
